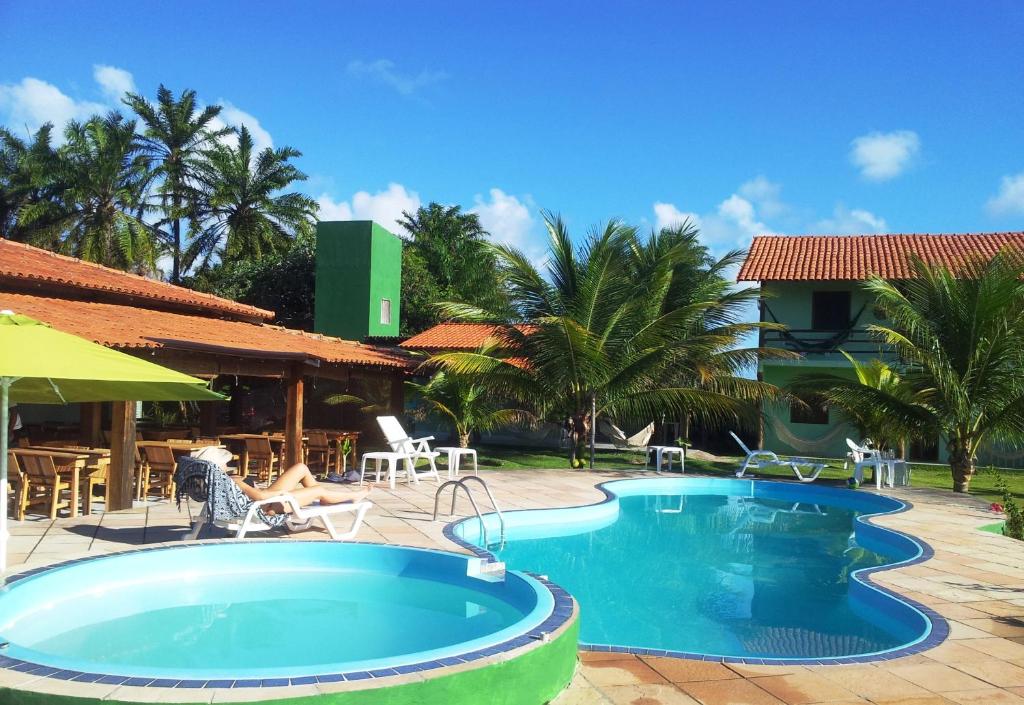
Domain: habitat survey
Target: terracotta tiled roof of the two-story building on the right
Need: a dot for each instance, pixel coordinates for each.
(823, 258)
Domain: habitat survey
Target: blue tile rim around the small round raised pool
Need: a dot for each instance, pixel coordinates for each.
(562, 614)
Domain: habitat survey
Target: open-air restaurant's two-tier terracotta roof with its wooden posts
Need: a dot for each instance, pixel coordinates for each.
(195, 334)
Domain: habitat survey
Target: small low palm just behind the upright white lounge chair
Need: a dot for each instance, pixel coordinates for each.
(467, 407)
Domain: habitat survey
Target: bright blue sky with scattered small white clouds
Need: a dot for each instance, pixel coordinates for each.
(746, 117)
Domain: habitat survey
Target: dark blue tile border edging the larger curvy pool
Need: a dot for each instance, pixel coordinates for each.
(940, 628)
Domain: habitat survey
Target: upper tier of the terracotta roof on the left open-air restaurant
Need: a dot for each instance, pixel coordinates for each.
(31, 266)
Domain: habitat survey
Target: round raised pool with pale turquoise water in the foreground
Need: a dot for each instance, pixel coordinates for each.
(261, 610)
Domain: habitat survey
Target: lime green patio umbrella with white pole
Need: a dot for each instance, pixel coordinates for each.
(39, 365)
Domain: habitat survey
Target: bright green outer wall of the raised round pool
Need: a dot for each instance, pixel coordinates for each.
(534, 679)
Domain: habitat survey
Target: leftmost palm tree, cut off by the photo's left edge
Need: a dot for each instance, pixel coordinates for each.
(29, 187)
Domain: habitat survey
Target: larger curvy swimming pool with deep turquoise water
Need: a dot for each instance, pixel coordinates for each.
(735, 569)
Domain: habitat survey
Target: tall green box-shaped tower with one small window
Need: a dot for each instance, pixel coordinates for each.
(359, 280)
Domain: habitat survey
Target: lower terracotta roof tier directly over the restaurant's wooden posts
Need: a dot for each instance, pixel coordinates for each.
(133, 327)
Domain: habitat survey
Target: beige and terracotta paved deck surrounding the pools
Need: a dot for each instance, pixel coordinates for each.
(975, 580)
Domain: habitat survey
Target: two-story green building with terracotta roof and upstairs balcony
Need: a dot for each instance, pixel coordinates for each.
(813, 284)
